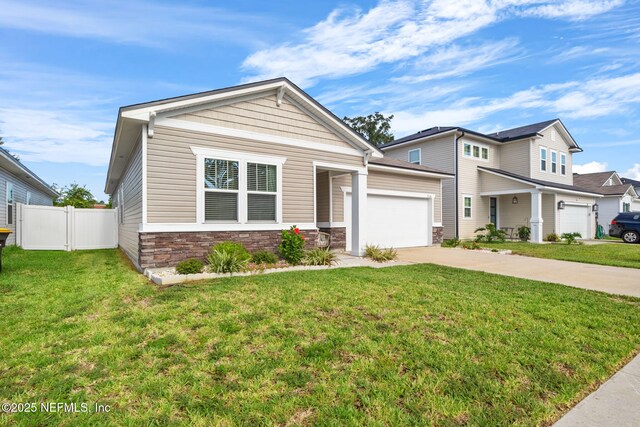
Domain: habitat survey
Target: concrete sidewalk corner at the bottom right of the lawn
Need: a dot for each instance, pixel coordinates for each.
(615, 403)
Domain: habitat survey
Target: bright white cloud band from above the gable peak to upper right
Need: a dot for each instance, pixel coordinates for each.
(353, 42)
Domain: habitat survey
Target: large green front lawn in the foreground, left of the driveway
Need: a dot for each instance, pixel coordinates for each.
(404, 345)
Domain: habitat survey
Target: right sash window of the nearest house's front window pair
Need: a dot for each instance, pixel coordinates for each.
(262, 189)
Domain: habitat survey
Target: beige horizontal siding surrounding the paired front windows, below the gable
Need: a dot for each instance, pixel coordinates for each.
(171, 187)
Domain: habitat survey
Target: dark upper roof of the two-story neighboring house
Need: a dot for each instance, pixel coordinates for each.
(504, 136)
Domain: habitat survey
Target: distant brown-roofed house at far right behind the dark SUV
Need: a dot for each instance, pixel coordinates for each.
(617, 196)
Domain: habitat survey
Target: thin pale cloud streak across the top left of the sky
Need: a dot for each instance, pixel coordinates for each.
(135, 22)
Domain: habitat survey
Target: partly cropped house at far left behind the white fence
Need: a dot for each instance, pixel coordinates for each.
(20, 185)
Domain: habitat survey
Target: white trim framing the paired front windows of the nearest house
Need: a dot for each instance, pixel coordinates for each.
(242, 158)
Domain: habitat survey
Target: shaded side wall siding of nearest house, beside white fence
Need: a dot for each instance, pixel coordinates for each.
(131, 187)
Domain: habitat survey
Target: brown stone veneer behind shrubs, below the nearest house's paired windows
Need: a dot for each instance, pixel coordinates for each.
(168, 249)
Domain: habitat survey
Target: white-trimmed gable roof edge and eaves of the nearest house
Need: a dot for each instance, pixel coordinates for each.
(131, 117)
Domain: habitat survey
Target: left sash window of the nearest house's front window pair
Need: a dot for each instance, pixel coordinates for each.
(221, 190)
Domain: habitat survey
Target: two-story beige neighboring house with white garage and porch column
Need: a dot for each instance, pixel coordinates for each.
(517, 177)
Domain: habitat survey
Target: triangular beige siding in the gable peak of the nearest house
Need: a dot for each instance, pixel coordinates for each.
(263, 115)
